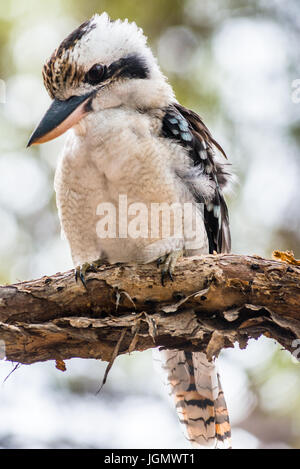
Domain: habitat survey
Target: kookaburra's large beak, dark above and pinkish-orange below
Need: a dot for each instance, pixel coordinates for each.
(61, 116)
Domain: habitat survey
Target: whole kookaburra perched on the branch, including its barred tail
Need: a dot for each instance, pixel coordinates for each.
(130, 137)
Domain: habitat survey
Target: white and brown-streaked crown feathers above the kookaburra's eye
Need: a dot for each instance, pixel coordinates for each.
(102, 41)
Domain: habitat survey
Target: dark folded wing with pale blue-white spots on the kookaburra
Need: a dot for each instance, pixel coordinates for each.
(188, 129)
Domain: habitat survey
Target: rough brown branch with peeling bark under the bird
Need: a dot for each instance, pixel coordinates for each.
(214, 301)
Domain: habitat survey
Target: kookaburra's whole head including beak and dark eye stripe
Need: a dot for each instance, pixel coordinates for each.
(103, 64)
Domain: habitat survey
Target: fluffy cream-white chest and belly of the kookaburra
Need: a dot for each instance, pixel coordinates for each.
(118, 162)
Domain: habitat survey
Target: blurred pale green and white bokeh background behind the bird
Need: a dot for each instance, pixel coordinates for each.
(236, 62)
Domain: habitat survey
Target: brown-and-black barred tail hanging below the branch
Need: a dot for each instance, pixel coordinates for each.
(195, 385)
